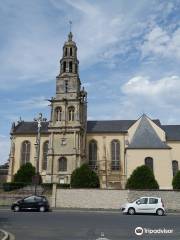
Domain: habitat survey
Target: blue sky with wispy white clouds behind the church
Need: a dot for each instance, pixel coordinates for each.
(129, 53)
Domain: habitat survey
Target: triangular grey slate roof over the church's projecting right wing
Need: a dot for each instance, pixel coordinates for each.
(145, 137)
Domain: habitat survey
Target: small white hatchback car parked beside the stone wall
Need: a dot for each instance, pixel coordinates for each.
(145, 205)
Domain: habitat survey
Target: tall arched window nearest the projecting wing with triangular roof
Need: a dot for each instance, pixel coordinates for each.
(115, 155)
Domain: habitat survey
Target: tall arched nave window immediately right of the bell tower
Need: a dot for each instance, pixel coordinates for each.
(93, 154)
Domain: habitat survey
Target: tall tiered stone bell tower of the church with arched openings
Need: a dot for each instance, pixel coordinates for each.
(67, 126)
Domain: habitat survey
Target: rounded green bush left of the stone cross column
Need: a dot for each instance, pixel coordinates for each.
(25, 173)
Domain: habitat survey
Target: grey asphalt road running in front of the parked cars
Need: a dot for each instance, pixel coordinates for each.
(83, 225)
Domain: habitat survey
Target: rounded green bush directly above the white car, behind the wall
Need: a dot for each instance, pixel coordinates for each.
(142, 178)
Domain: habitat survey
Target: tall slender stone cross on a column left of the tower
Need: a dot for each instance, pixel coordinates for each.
(39, 120)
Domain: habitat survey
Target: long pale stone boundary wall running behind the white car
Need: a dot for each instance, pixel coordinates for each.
(109, 199)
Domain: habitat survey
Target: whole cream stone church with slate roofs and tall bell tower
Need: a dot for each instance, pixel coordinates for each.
(112, 148)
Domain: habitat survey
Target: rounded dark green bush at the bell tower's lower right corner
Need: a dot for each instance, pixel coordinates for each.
(84, 177)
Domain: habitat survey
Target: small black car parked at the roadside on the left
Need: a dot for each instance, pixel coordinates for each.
(39, 203)
